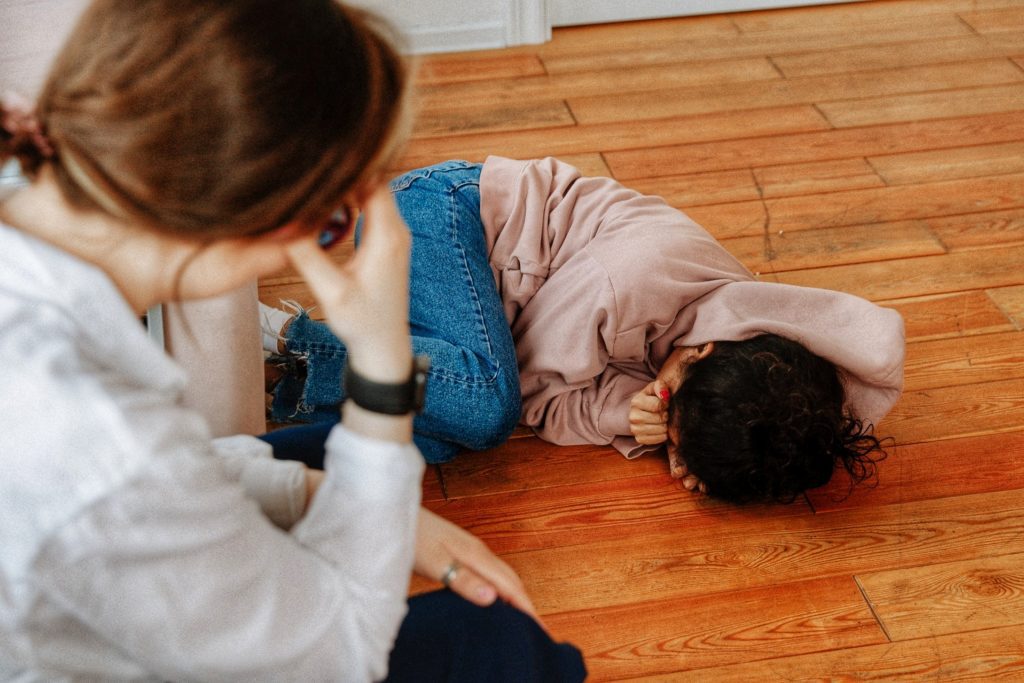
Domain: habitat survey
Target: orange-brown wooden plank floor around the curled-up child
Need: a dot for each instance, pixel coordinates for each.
(875, 148)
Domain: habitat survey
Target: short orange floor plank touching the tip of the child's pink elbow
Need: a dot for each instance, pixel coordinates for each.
(948, 316)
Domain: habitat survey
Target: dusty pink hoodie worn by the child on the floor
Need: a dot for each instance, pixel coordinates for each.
(601, 284)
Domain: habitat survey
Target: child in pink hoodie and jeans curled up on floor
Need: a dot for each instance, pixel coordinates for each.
(617, 320)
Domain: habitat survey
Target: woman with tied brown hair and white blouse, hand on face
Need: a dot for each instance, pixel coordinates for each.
(179, 150)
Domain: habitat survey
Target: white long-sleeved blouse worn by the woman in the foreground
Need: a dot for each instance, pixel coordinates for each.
(134, 547)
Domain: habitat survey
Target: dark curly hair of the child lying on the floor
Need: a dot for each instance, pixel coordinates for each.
(762, 420)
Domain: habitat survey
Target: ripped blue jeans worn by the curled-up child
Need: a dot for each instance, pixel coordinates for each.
(456, 318)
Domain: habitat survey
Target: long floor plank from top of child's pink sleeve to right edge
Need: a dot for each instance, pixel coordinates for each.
(983, 269)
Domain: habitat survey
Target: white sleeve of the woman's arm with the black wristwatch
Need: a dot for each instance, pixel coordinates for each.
(184, 574)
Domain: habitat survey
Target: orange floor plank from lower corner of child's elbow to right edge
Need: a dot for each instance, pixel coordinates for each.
(947, 413)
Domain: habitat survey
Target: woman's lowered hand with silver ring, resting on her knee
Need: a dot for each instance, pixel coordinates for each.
(481, 576)
